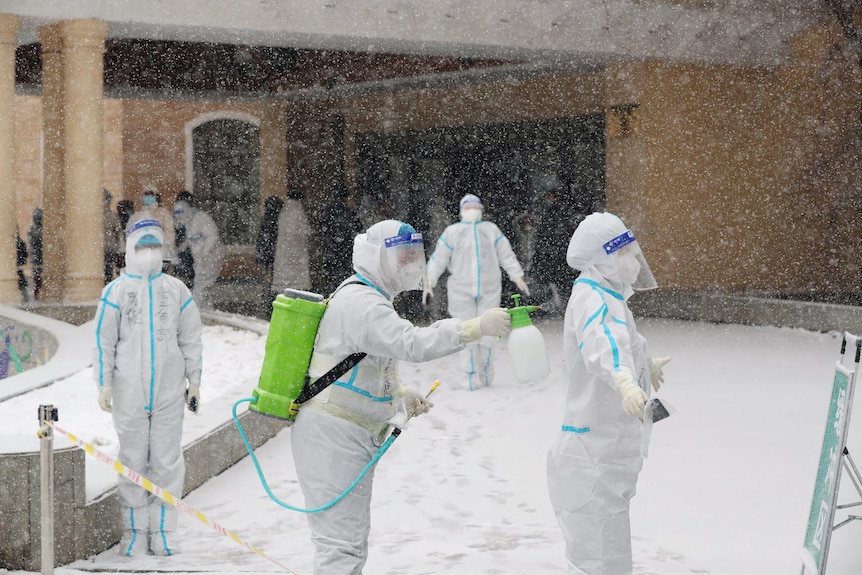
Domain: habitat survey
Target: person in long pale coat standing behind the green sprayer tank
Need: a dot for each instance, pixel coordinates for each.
(290, 265)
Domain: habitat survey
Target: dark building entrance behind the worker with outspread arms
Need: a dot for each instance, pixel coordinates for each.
(412, 174)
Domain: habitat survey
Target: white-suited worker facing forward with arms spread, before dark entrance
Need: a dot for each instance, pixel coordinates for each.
(473, 250)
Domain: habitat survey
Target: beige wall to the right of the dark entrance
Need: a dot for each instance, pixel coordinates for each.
(731, 180)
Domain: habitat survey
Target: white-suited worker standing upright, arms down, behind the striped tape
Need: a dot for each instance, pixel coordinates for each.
(148, 344)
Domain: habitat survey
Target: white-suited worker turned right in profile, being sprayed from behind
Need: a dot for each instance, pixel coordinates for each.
(594, 465)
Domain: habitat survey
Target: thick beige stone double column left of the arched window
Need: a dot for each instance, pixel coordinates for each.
(73, 71)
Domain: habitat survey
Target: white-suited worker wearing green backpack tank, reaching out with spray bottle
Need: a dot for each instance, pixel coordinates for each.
(338, 432)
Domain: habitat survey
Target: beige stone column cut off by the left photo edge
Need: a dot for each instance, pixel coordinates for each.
(8, 44)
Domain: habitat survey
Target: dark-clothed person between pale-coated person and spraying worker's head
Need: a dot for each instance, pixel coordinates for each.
(338, 225)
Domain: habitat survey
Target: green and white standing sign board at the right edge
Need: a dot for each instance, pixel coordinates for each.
(821, 516)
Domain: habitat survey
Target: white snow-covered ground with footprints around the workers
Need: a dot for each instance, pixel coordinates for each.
(725, 491)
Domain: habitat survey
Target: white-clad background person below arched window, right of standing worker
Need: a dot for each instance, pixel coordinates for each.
(202, 239)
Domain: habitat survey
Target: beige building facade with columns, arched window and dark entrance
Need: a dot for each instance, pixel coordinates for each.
(737, 175)
